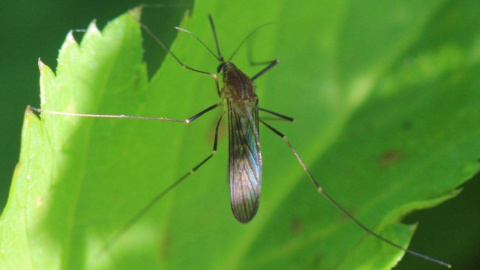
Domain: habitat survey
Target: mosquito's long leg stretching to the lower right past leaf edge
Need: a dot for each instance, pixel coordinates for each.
(336, 204)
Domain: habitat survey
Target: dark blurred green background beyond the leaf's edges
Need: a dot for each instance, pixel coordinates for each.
(33, 29)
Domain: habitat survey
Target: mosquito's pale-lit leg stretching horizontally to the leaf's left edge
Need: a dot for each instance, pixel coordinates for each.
(122, 116)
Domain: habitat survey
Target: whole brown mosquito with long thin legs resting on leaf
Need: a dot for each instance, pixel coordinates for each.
(240, 101)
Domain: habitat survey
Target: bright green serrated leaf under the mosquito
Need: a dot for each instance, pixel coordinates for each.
(386, 101)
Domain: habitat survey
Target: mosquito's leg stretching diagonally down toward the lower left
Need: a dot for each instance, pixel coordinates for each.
(147, 207)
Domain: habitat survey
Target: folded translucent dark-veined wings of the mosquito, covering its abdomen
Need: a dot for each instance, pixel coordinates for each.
(245, 160)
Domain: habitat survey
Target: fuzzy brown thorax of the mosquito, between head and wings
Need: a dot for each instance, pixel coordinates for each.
(236, 85)
